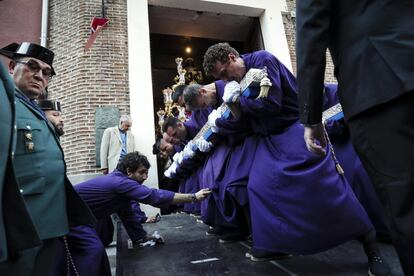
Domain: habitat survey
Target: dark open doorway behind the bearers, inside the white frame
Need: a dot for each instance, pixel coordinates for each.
(173, 30)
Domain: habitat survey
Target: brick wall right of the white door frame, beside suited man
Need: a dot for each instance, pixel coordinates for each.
(289, 20)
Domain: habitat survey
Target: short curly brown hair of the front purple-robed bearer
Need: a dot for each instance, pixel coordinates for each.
(217, 52)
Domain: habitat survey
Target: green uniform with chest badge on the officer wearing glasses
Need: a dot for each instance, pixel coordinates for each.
(51, 200)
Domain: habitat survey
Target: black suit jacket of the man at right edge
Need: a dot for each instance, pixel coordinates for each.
(371, 42)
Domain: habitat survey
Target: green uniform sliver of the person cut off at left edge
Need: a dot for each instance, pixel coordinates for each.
(16, 228)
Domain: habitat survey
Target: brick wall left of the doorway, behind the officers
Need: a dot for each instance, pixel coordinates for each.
(87, 81)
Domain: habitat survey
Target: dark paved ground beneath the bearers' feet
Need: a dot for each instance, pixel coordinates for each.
(188, 251)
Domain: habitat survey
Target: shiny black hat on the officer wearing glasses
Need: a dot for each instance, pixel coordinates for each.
(27, 49)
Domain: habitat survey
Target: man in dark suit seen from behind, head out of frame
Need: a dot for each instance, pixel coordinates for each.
(371, 43)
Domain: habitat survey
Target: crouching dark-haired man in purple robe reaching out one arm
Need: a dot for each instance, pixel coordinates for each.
(112, 193)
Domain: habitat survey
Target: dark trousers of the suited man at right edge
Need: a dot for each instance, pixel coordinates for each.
(383, 137)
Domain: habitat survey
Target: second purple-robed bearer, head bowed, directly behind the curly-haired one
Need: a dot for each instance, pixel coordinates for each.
(226, 169)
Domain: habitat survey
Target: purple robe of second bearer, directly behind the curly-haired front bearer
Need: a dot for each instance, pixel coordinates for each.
(226, 173)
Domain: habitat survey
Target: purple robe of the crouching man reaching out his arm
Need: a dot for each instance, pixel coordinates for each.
(106, 195)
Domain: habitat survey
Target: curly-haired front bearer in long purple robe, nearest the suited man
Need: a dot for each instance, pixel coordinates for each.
(299, 204)
